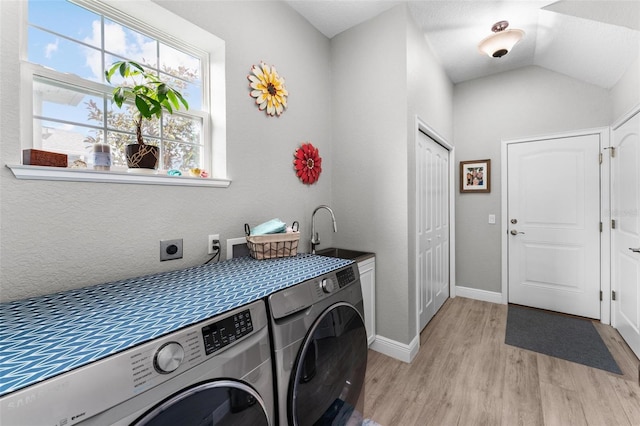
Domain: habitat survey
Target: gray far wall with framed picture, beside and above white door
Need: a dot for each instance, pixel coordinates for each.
(526, 102)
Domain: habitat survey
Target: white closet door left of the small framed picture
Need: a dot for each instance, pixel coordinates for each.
(432, 216)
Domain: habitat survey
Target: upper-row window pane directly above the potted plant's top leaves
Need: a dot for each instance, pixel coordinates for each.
(129, 44)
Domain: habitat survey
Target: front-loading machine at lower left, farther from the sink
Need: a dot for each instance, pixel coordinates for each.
(215, 372)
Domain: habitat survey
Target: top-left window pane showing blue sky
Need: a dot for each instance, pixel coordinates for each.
(66, 19)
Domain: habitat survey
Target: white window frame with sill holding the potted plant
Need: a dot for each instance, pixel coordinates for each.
(181, 32)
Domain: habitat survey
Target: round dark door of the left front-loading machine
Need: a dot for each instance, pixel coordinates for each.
(221, 403)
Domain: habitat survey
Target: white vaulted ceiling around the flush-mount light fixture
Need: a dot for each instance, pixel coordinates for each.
(593, 41)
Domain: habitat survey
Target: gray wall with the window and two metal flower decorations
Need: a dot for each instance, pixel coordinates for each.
(62, 235)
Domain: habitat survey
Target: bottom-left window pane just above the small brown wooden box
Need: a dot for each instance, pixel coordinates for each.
(73, 140)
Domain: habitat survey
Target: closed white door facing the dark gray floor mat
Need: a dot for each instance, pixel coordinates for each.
(554, 224)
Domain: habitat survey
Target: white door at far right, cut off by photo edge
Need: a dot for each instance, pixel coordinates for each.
(625, 208)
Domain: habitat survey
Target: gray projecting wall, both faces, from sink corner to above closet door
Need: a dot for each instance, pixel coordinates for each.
(384, 73)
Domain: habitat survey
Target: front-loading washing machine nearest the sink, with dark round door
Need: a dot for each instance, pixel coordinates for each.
(320, 350)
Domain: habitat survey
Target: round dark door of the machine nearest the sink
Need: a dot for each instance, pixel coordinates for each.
(328, 385)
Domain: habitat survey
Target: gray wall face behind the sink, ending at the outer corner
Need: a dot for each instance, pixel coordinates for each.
(370, 150)
